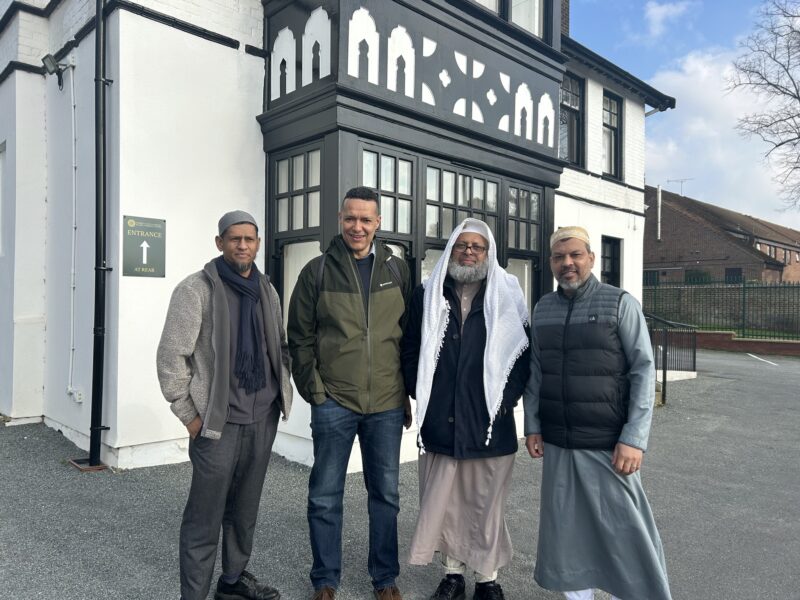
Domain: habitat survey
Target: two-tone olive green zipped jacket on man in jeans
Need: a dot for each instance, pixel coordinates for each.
(340, 348)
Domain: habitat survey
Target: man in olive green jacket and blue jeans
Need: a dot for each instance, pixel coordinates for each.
(345, 327)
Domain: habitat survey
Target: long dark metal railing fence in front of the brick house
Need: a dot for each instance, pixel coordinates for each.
(752, 310)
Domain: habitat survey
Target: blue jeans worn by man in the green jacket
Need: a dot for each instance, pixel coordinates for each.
(333, 430)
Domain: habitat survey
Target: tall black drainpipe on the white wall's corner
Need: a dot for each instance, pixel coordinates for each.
(100, 268)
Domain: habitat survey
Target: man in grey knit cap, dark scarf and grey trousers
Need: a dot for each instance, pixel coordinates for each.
(223, 365)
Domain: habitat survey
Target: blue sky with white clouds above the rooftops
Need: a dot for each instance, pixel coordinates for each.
(685, 49)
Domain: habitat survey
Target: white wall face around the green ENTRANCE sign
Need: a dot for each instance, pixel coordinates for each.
(189, 149)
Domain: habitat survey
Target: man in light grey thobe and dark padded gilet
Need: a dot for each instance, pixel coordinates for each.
(588, 407)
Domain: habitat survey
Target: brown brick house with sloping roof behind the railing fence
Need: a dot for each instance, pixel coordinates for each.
(688, 240)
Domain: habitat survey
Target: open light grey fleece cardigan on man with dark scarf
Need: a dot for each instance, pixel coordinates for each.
(193, 361)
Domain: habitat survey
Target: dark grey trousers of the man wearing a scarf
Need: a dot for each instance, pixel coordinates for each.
(227, 479)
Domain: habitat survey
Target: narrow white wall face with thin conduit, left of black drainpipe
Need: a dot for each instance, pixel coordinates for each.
(66, 413)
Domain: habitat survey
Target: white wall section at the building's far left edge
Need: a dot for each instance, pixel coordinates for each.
(23, 242)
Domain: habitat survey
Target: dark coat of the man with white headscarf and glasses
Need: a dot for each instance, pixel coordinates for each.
(456, 421)
